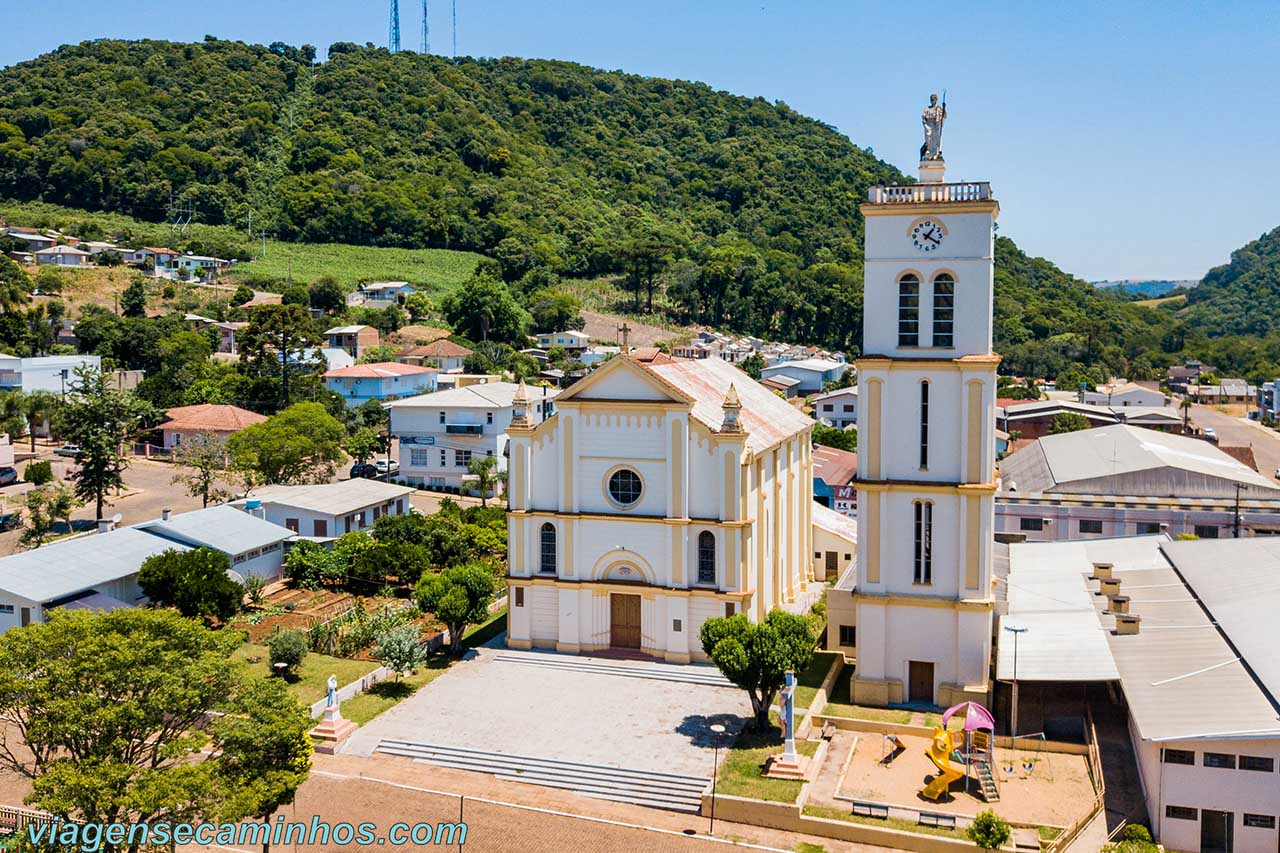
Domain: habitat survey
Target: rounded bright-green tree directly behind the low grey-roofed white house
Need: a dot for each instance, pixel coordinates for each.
(299, 445)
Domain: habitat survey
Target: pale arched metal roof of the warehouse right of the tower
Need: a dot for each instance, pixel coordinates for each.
(1130, 460)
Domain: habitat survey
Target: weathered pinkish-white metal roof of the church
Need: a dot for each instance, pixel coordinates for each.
(766, 418)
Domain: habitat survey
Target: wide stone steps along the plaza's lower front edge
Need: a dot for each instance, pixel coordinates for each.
(638, 787)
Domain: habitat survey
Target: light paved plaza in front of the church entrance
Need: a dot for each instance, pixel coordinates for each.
(559, 708)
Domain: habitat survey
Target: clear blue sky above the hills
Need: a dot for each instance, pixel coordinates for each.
(1124, 140)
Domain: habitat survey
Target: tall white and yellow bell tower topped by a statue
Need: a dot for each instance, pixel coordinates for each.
(926, 458)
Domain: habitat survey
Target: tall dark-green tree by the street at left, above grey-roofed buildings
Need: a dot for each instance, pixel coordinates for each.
(100, 419)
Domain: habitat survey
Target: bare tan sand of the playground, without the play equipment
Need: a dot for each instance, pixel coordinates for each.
(1057, 792)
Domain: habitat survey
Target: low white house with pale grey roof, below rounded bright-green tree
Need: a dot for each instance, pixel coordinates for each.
(330, 510)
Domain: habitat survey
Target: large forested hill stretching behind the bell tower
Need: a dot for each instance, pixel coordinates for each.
(742, 215)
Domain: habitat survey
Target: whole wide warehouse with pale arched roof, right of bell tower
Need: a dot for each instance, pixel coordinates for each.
(1124, 481)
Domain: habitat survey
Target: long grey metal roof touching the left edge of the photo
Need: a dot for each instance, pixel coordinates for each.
(65, 568)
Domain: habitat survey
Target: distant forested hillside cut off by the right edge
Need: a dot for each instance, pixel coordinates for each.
(1242, 298)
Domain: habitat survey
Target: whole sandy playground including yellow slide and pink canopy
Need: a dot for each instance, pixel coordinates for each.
(959, 770)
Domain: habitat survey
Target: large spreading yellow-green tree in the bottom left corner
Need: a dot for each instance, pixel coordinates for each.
(141, 715)
